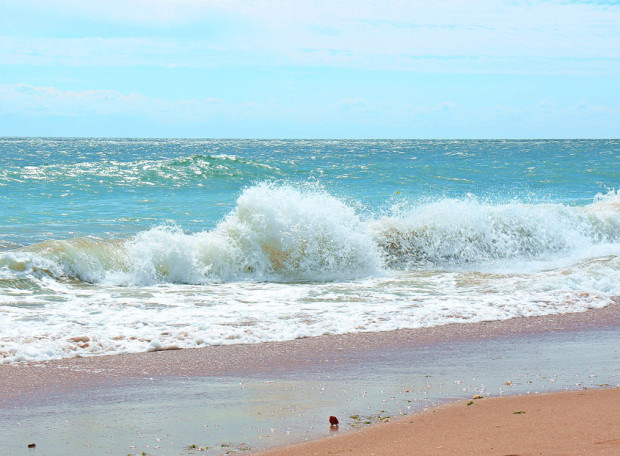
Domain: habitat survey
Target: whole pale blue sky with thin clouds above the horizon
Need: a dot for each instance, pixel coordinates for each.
(310, 68)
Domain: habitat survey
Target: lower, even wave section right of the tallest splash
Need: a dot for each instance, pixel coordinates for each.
(455, 232)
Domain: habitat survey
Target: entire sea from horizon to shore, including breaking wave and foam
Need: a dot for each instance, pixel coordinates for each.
(111, 246)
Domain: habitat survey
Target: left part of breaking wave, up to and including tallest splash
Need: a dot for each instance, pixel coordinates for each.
(275, 233)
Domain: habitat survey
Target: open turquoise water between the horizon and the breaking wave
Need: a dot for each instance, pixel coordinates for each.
(60, 188)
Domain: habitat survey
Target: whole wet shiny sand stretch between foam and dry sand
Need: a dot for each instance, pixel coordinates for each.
(252, 397)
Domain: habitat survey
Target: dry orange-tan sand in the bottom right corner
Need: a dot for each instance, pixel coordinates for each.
(569, 423)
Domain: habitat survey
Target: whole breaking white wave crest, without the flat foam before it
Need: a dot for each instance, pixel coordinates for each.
(287, 233)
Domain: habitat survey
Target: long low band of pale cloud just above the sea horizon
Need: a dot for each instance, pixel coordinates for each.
(549, 117)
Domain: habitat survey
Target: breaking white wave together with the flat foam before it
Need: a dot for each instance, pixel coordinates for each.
(292, 262)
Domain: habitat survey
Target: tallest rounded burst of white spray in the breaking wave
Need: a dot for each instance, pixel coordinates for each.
(300, 234)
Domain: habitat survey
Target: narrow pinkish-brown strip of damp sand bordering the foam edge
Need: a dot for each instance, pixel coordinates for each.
(268, 357)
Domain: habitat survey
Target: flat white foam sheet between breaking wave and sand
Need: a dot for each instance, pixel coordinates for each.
(109, 320)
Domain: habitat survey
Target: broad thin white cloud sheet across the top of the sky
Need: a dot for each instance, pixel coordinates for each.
(444, 36)
